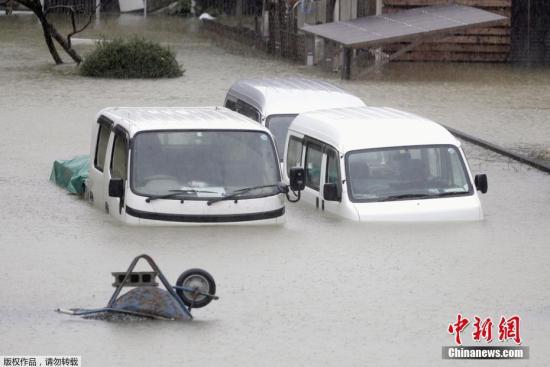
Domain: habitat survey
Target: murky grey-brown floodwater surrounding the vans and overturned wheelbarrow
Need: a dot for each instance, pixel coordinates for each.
(317, 291)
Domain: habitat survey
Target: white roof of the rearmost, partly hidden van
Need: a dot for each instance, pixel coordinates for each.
(292, 95)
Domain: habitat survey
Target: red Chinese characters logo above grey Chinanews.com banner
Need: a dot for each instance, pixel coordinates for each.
(506, 329)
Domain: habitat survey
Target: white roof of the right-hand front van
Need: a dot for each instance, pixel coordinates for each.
(370, 127)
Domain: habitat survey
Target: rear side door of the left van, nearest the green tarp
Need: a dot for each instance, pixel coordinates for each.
(97, 177)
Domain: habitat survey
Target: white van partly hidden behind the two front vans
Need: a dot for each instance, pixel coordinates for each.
(276, 102)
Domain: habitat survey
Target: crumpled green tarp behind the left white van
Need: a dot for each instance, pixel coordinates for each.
(71, 174)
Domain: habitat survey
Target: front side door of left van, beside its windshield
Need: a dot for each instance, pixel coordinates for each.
(118, 168)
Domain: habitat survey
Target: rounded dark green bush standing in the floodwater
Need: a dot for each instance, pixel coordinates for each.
(135, 58)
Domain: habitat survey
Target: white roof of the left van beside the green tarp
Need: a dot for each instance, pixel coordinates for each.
(135, 119)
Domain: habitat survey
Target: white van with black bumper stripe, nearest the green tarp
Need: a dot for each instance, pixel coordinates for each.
(184, 165)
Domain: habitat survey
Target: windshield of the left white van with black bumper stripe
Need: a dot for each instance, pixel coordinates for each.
(203, 164)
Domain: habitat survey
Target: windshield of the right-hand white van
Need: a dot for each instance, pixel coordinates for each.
(416, 172)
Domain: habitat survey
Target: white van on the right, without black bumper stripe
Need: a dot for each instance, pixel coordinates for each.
(381, 164)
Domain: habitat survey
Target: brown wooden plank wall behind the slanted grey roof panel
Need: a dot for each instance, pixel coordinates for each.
(472, 45)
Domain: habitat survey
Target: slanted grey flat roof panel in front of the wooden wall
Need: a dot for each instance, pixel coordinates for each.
(406, 25)
